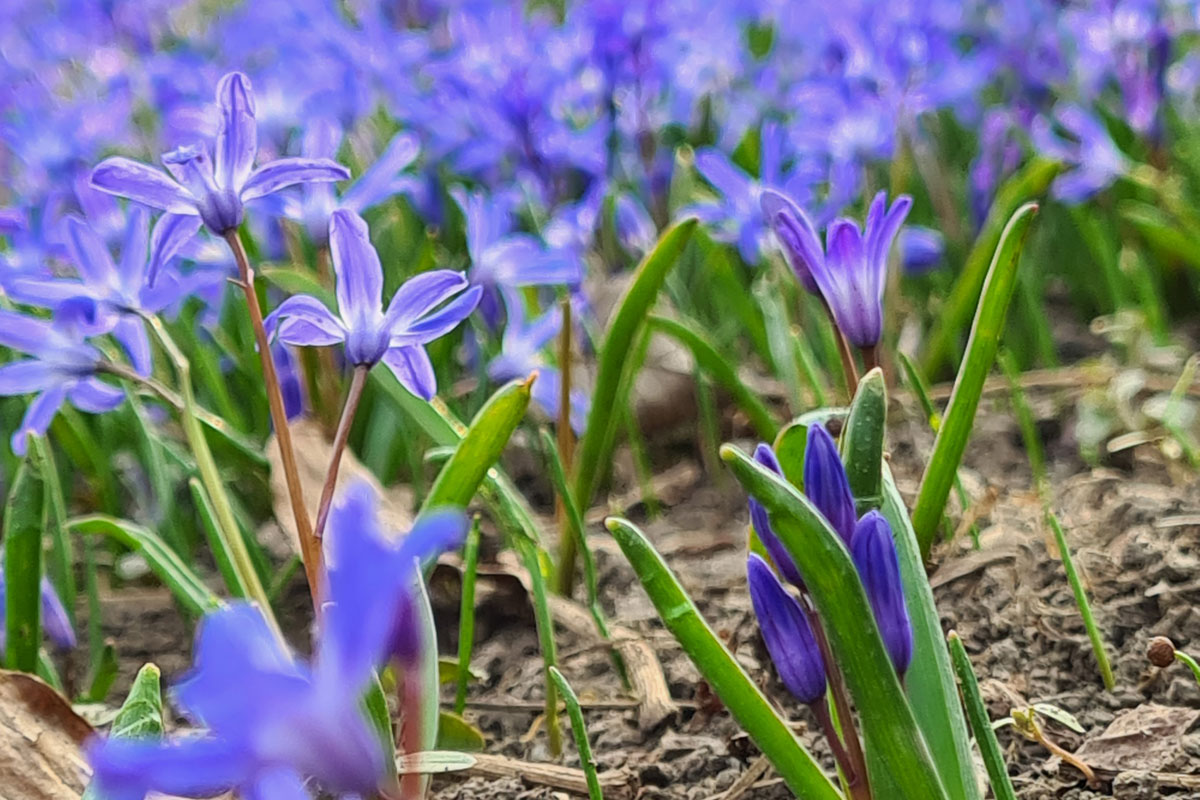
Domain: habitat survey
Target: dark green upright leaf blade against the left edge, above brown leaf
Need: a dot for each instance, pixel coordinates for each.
(25, 520)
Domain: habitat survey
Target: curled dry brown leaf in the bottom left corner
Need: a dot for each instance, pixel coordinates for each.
(40, 741)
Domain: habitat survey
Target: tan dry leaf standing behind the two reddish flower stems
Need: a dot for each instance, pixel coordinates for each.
(314, 452)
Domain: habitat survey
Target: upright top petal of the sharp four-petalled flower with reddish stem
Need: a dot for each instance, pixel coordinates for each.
(358, 269)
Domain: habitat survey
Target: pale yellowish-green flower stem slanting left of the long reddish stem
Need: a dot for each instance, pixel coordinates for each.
(227, 525)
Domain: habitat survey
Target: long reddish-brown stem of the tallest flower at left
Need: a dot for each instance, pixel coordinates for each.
(310, 549)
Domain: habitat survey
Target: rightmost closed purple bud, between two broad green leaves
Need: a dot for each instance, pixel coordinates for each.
(879, 568)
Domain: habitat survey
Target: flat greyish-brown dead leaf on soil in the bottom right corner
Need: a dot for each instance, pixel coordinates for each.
(1145, 738)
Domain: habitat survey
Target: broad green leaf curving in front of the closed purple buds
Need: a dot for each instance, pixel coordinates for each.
(899, 761)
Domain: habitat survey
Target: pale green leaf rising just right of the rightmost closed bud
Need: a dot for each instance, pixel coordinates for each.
(931, 679)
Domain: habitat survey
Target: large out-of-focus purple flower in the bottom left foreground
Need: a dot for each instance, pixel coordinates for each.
(274, 723)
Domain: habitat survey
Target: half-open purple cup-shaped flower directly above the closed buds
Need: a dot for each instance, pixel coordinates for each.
(850, 272)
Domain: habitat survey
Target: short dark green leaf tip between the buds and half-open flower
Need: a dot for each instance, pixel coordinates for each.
(862, 442)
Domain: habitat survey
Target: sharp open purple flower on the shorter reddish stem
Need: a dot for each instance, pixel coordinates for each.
(397, 338)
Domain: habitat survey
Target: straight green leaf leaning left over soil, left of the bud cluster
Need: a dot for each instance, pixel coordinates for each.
(731, 683)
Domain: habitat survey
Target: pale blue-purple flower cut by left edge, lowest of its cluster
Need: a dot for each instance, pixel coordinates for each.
(63, 368)
